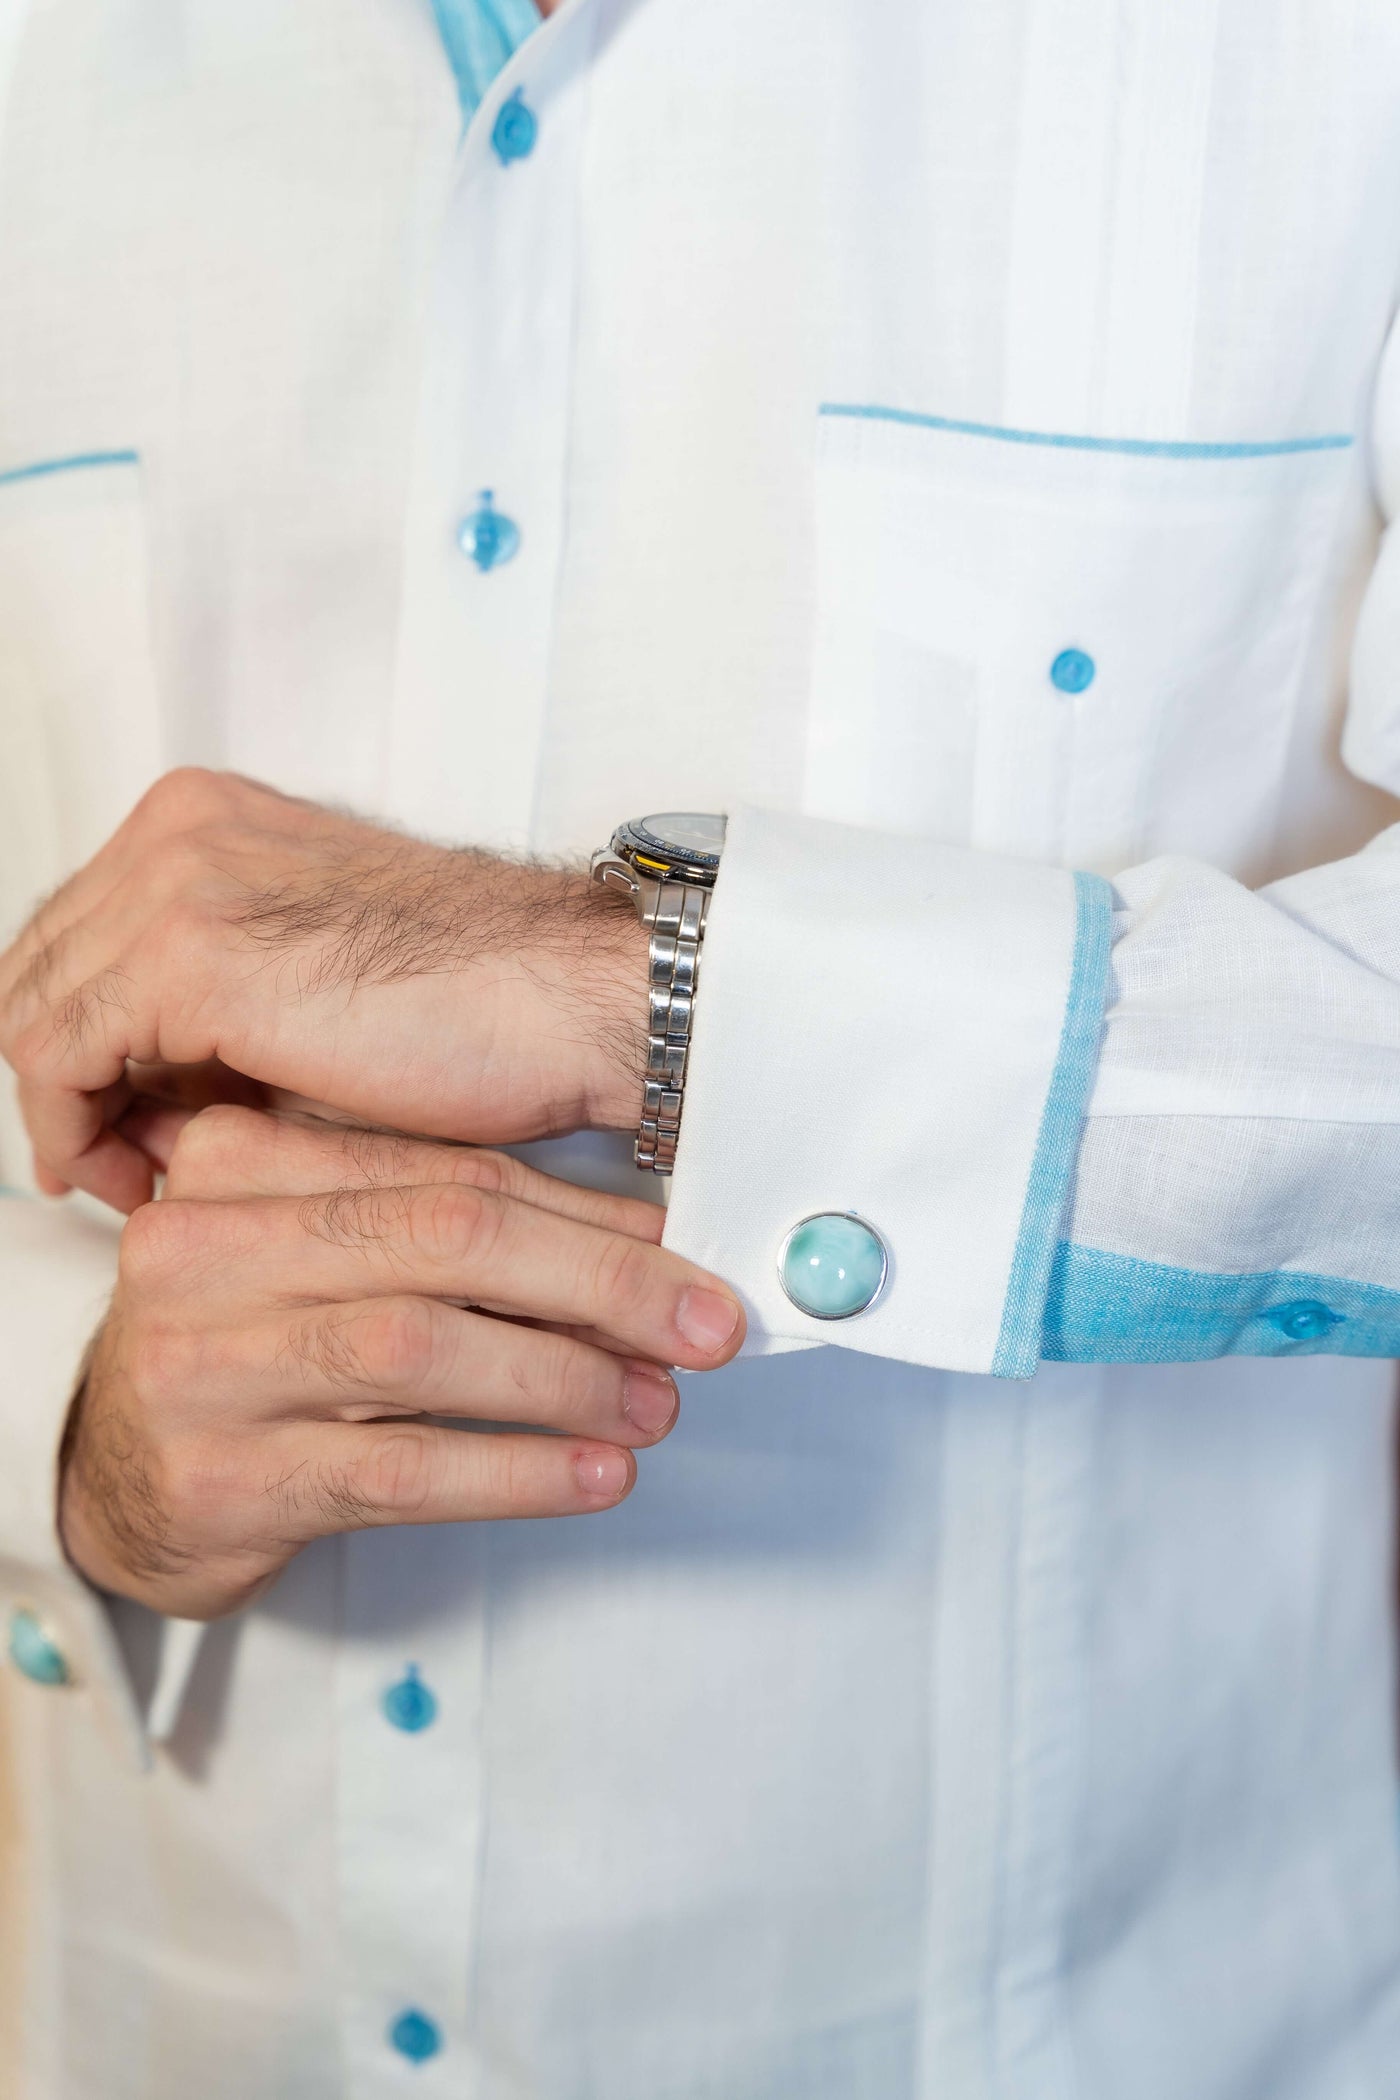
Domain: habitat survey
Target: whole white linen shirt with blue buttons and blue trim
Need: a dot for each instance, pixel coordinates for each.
(954, 440)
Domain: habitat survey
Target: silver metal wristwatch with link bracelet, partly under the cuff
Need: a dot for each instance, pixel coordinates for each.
(669, 868)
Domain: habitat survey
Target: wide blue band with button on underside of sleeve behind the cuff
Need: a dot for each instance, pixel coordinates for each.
(1113, 1309)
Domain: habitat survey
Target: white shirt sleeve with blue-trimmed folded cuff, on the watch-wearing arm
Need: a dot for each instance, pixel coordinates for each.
(1153, 1120)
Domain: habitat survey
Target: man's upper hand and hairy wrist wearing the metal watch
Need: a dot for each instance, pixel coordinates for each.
(444, 992)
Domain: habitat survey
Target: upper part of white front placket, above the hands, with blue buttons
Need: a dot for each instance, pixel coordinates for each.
(486, 518)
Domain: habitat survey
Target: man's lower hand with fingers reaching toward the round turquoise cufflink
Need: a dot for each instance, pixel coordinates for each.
(289, 1322)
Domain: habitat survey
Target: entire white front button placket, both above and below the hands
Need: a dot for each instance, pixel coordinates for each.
(484, 539)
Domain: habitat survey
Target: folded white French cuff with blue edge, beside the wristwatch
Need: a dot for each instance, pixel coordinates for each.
(906, 1032)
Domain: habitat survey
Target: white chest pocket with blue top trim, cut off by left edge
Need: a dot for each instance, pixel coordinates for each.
(79, 705)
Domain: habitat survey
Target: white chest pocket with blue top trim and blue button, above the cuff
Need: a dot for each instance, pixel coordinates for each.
(1061, 650)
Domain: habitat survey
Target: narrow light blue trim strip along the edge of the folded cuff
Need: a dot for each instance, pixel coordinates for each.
(1057, 1148)
